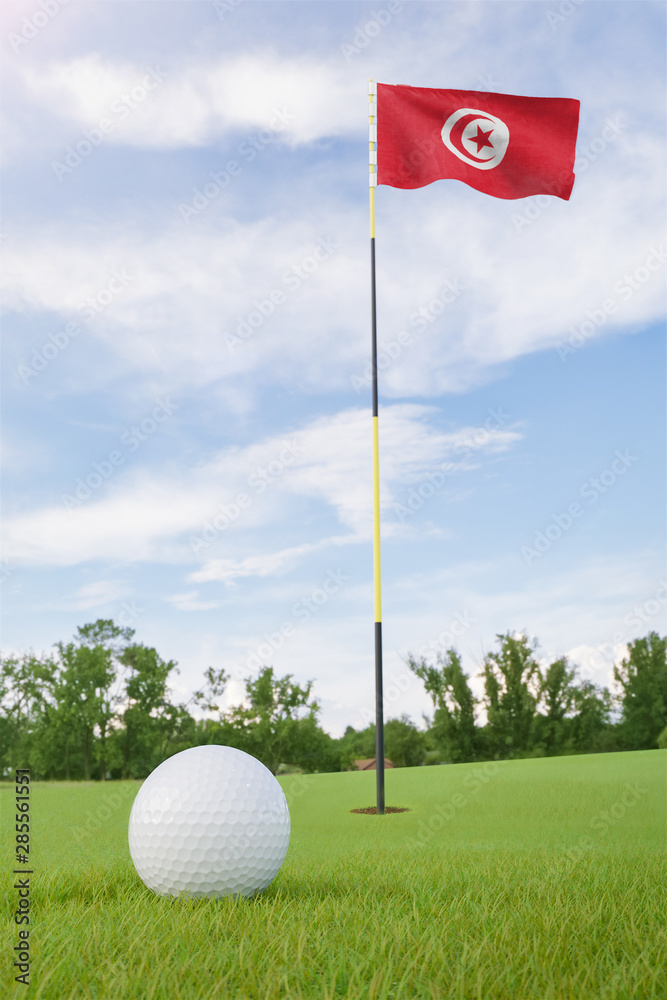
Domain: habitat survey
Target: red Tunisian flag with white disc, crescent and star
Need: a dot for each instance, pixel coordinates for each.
(505, 146)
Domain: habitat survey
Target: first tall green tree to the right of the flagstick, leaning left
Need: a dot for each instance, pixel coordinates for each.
(453, 730)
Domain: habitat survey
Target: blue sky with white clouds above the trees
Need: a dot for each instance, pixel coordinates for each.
(186, 343)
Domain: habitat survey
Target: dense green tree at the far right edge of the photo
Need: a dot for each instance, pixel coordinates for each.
(642, 676)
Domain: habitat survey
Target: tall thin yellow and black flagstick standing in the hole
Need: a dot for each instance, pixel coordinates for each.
(379, 711)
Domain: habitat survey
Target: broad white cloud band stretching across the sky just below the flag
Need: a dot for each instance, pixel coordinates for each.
(193, 302)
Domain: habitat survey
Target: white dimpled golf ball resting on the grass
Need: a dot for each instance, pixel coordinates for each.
(209, 821)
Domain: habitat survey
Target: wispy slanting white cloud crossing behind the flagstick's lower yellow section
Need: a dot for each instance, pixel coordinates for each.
(146, 516)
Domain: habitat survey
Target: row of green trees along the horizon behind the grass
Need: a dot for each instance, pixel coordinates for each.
(99, 707)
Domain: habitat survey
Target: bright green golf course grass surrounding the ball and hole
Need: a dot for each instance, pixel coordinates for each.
(538, 879)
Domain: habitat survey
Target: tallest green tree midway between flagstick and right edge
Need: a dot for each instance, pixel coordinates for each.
(510, 677)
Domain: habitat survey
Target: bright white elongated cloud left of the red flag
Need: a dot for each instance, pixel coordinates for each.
(194, 105)
